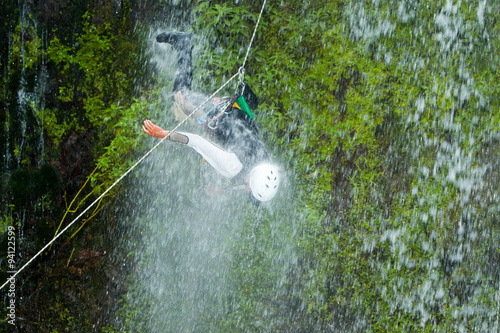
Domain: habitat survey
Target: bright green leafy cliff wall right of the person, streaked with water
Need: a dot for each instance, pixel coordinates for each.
(382, 111)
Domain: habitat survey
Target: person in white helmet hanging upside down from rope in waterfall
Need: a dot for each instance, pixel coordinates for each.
(239, 153)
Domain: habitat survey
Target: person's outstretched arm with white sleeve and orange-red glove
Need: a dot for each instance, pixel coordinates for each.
(224, 162)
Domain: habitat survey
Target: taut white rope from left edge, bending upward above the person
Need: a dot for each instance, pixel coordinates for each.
(138, 162)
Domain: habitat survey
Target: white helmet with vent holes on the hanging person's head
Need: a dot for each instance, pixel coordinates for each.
(264, 181)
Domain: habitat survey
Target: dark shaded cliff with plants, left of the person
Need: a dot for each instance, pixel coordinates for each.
(55, 55)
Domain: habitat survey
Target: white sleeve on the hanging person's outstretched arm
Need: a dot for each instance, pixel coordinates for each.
(224, 162)
